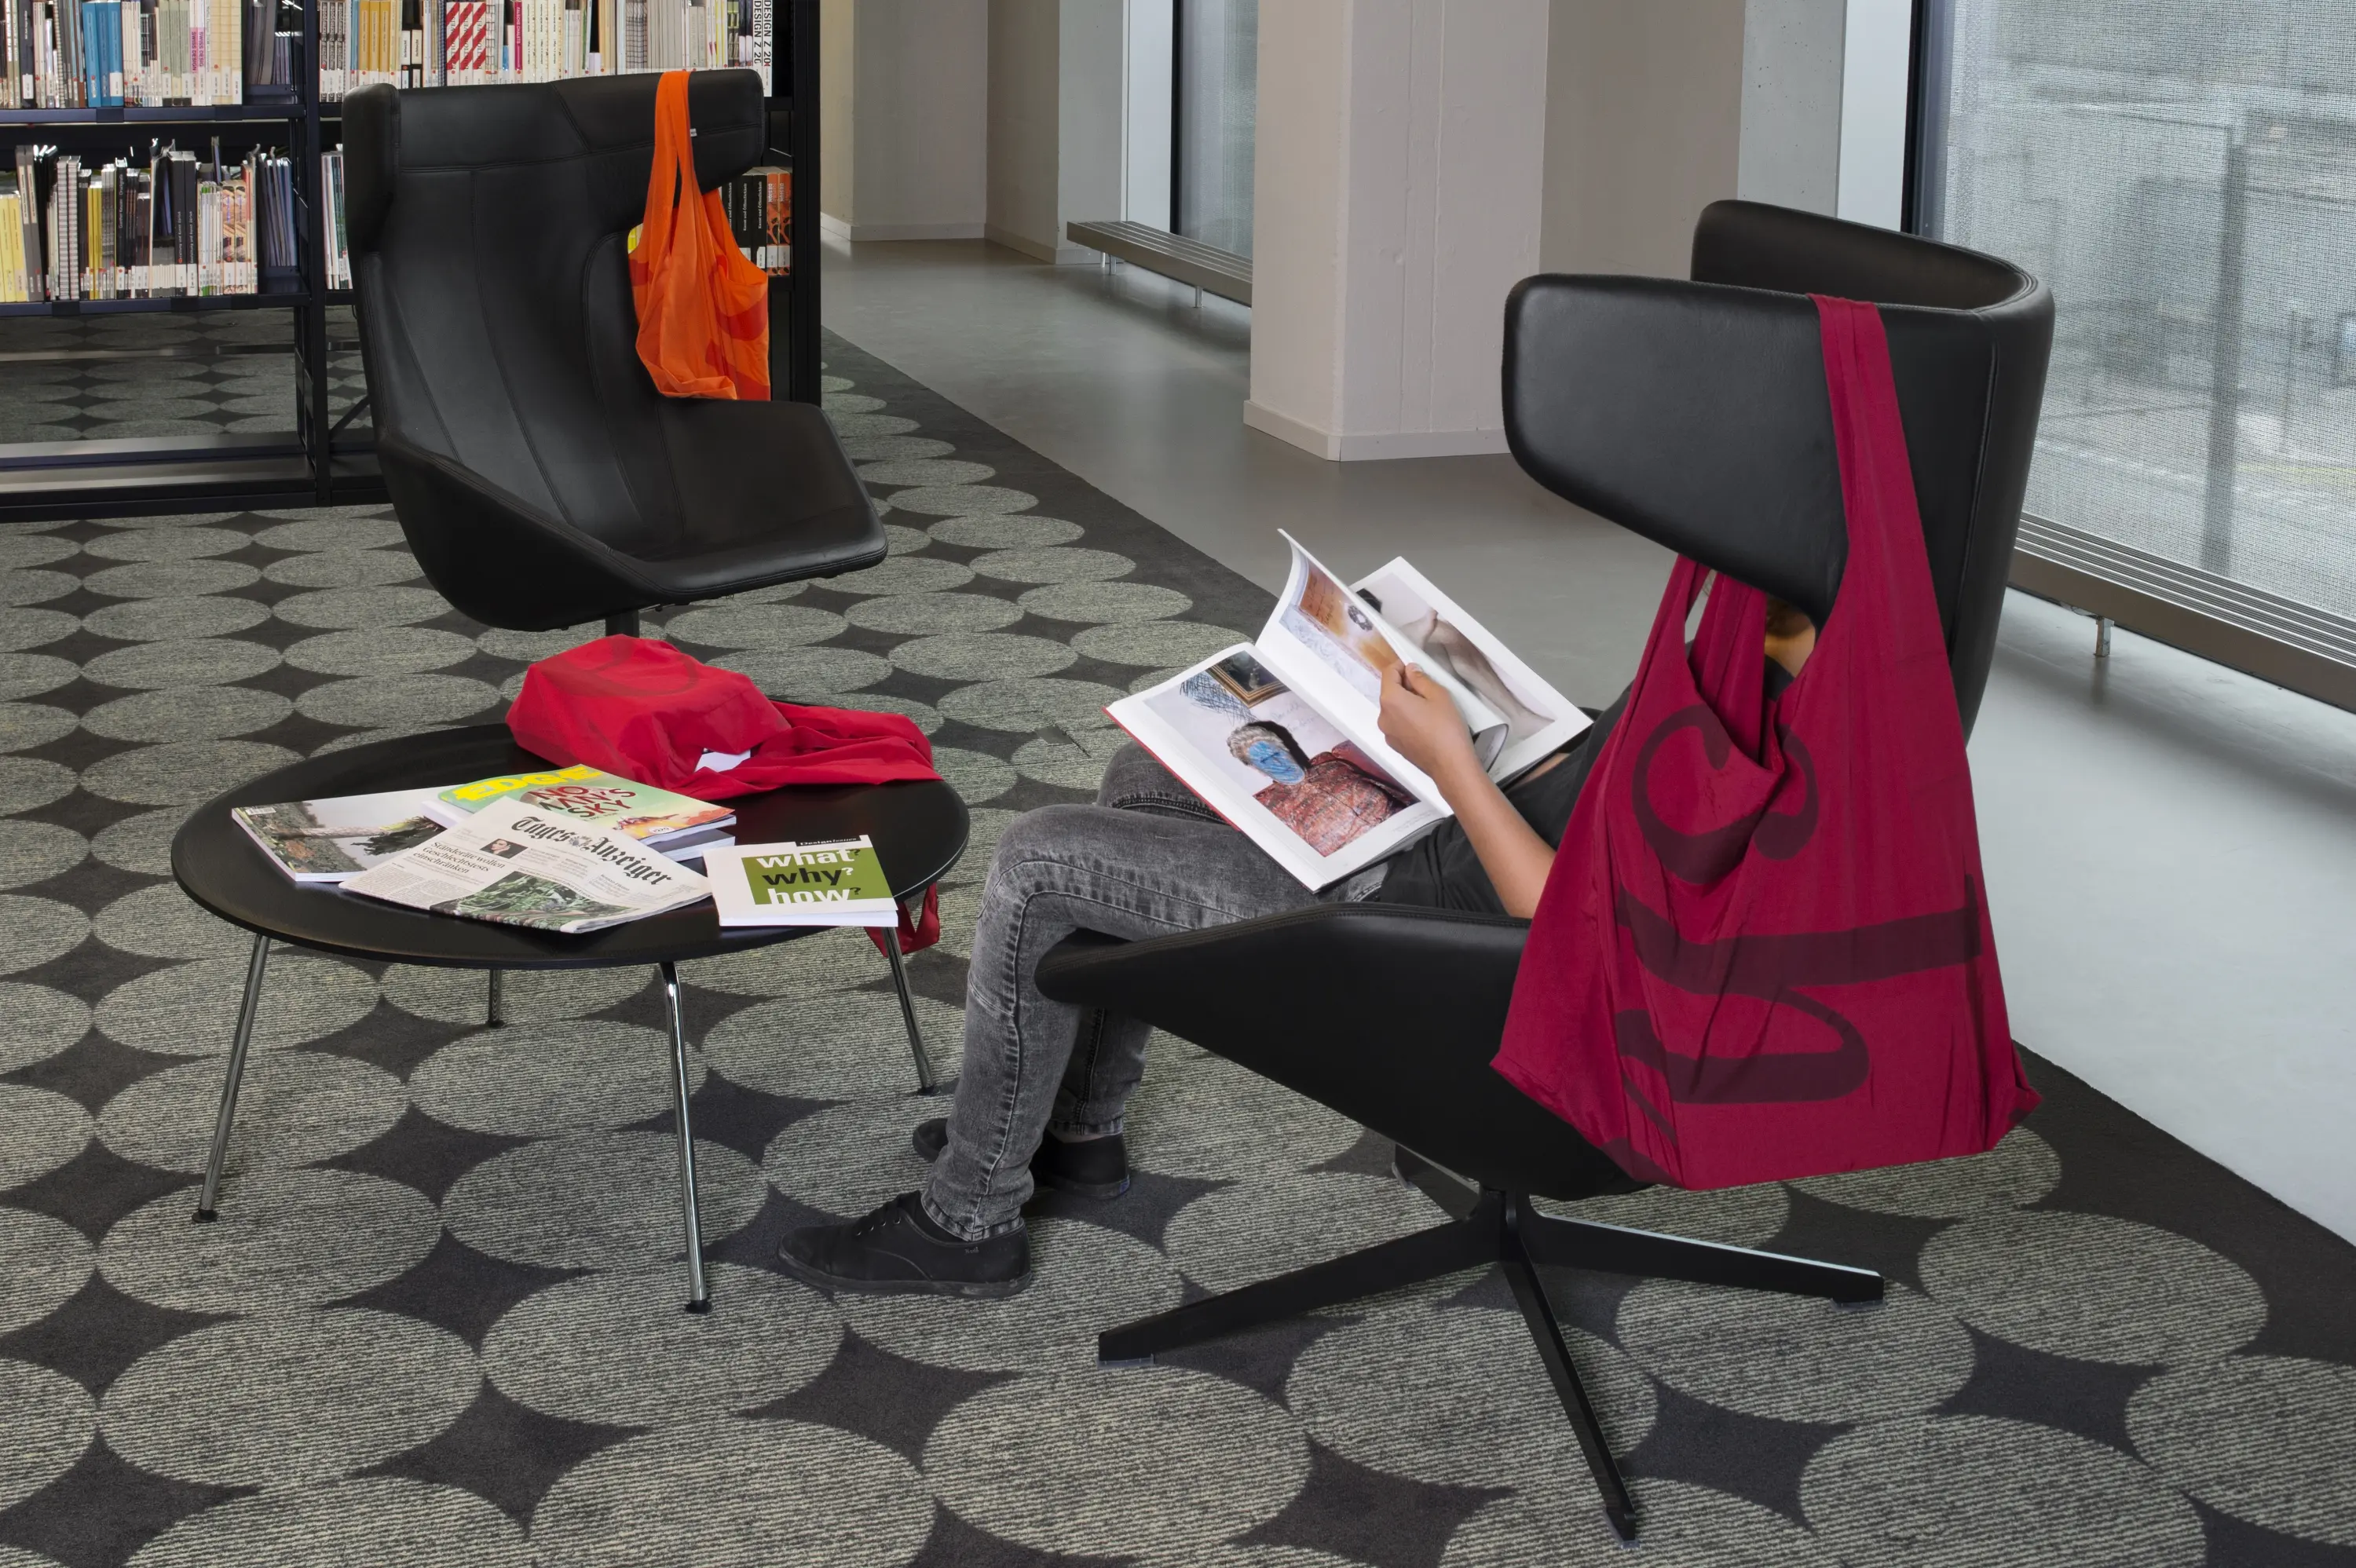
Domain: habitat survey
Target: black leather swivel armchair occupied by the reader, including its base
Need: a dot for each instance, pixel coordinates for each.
(1693, 413)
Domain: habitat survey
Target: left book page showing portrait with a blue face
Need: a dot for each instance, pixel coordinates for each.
(1273, 766)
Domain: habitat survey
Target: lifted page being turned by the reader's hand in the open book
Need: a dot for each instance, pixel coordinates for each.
(1339, 651)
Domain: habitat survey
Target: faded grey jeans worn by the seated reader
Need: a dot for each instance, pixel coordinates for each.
(1146, 861)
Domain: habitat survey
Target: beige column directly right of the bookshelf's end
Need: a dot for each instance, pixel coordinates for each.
(904, 121)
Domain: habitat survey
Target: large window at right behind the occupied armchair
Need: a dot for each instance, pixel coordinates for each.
(2183, 173)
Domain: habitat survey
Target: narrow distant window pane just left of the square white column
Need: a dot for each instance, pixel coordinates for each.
(1219, 72)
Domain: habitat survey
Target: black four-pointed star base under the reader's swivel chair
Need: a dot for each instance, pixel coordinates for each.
(1497, 1228)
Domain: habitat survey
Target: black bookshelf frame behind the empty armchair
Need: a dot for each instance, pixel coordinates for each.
(322, 458)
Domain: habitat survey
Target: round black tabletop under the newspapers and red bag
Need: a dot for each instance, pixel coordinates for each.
(918, 828)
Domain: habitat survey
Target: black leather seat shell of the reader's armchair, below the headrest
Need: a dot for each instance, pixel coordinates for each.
(1382, 1011)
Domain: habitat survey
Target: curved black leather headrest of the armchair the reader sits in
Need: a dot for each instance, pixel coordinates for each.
(1695, 413)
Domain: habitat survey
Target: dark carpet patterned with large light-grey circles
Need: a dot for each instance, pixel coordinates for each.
(439, 1320)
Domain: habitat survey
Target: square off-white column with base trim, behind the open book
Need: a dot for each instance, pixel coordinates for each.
(1398, 190)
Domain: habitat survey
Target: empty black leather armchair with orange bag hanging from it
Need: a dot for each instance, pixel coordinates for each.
(538, 474)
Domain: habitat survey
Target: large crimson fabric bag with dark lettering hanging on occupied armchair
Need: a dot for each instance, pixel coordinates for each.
(1766, 950)
